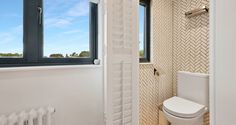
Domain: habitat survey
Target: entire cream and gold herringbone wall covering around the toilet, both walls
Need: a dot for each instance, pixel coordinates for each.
(179, 43)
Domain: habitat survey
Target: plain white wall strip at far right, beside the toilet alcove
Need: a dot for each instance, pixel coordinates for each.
(224, 32)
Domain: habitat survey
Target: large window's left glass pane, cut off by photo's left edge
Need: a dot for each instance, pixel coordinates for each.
(11, 29)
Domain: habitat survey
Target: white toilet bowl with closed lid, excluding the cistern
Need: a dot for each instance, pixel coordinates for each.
(179, 111)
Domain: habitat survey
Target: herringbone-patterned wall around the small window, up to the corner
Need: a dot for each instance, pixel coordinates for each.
(154, 89)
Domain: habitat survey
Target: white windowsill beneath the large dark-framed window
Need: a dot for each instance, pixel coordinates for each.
(40, 68)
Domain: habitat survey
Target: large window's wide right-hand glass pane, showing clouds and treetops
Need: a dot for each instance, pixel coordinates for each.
(66, 29)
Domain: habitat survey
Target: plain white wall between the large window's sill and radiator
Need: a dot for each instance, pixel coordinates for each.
(75, 91)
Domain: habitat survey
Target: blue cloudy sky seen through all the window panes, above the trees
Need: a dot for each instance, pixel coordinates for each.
(66, 26)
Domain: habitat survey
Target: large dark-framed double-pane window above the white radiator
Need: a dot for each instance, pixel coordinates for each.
(49, 32)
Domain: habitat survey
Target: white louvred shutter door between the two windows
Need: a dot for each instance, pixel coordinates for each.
(121, 62)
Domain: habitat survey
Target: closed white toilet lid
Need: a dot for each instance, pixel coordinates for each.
(183, 108)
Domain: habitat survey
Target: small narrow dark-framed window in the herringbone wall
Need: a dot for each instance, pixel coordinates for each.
(144, 31)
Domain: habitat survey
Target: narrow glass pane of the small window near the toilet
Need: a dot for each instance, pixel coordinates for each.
(141, 31)
